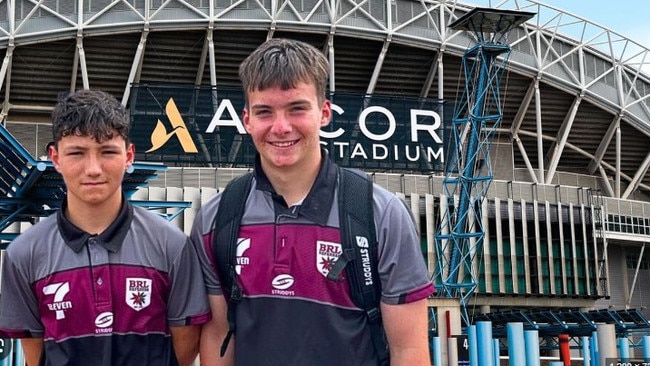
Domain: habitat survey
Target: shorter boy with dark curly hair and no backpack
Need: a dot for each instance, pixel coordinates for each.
(101, 282)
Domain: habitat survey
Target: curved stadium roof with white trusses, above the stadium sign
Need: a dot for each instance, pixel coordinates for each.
(592, 118)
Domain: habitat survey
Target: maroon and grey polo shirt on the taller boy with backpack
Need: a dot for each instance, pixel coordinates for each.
(291, 313)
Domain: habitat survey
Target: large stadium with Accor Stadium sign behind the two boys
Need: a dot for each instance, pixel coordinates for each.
(564, 215)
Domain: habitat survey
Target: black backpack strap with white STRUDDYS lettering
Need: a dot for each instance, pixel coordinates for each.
(359, 242)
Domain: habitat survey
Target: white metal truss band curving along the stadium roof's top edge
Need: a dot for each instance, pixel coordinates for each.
(567, 49)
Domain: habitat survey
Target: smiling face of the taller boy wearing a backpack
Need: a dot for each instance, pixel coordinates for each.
(285, 124)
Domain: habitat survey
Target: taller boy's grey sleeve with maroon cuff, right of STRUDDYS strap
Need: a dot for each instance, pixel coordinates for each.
(402, 270)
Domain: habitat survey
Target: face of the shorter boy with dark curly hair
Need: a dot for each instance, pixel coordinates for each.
(92, 171)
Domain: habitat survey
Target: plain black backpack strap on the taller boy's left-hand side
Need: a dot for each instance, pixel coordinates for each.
(224, 244)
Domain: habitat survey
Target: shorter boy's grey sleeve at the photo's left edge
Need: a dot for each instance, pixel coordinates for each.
(19, 315)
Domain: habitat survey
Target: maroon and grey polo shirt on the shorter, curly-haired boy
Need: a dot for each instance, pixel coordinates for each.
(106, 299)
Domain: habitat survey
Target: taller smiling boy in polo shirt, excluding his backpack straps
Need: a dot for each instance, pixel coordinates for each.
(291, 313)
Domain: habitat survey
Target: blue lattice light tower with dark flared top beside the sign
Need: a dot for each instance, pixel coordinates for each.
(459, 238)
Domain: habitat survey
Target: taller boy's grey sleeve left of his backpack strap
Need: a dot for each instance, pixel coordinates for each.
(201, 236)
